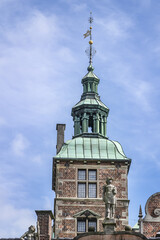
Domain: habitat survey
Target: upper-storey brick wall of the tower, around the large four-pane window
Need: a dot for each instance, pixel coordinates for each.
(68, 188)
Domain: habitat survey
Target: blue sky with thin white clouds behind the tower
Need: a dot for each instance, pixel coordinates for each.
(42, 62)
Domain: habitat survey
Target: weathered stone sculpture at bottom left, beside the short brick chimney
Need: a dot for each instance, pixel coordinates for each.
(31, 233)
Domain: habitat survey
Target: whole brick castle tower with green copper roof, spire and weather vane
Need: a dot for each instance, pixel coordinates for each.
(83, 164)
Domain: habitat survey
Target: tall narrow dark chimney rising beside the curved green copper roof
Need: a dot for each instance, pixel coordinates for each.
(60, 136)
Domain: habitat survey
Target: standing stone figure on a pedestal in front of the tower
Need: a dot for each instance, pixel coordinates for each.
(109, 192)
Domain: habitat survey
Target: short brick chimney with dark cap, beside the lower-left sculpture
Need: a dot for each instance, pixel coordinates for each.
(44, 218)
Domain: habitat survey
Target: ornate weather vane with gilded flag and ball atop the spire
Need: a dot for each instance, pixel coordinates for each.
(90, 51)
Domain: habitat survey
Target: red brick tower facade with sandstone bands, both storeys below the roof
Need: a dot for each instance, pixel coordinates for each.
(67, 203)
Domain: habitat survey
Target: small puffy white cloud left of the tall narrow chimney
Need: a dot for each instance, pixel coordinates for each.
(19, 145)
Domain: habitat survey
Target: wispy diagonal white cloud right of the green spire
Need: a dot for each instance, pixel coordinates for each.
(137, 89)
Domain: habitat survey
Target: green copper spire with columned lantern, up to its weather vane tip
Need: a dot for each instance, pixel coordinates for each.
(90, 114)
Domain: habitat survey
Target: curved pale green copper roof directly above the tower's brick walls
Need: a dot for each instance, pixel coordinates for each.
(91, 148)
